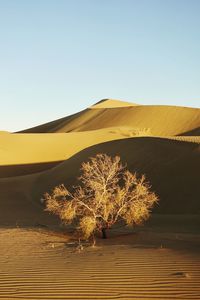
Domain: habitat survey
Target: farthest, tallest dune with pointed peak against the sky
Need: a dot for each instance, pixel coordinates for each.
(159, 120)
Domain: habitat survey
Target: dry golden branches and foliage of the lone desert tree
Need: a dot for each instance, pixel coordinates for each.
(107, 193)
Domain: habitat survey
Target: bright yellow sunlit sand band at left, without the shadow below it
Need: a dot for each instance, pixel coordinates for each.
(34, 148)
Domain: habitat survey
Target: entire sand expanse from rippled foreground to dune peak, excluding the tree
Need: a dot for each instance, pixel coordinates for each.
(156, 262)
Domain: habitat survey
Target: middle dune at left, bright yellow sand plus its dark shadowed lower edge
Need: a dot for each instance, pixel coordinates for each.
(28, 153)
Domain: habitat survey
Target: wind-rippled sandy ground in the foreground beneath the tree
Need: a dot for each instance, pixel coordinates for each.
(158, 261)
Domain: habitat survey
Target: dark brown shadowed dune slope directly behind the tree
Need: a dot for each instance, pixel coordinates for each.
(172, 167)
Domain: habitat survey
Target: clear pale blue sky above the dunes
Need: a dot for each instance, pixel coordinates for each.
(60, 56)
